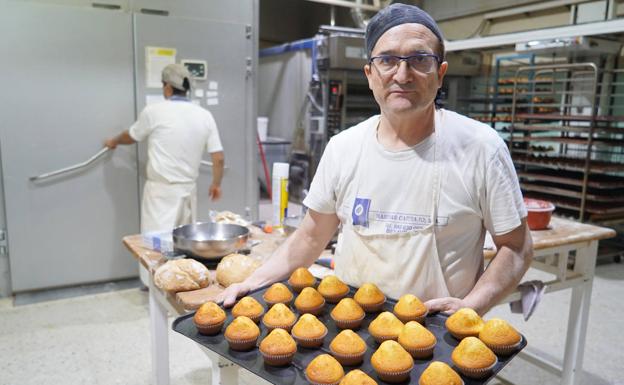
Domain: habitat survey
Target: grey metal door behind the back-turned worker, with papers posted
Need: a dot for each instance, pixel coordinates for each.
(225, 47)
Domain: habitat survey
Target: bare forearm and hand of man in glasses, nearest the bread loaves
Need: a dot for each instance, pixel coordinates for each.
(302, 248)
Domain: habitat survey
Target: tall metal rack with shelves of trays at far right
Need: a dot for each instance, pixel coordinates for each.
(565, 140)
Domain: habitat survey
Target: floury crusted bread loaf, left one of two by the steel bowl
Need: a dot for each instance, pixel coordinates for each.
(182, 275)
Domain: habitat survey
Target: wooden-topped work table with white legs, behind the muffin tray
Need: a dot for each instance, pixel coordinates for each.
(567, 250)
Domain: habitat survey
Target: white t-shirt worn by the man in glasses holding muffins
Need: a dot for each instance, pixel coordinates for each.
(479, 189)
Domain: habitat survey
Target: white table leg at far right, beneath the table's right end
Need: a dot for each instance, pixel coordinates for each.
(585, 263)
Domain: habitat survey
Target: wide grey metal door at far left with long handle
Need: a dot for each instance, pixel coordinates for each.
(67, 84)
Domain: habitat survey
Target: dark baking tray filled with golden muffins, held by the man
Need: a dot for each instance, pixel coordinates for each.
(304, 331)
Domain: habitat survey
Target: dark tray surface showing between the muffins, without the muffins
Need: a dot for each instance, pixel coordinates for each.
(294, 374)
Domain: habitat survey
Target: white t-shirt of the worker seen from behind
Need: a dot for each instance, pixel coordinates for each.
(178, 132)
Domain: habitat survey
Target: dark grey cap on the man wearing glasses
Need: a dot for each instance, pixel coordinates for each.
(397, 14)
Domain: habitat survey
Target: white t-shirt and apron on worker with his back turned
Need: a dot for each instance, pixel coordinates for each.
(177, 133)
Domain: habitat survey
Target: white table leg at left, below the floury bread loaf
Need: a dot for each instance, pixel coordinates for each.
(160, 337)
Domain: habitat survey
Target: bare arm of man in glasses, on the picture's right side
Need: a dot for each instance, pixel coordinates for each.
(515, 252)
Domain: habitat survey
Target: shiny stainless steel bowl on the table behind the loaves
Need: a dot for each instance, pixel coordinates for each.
(209, 240)
